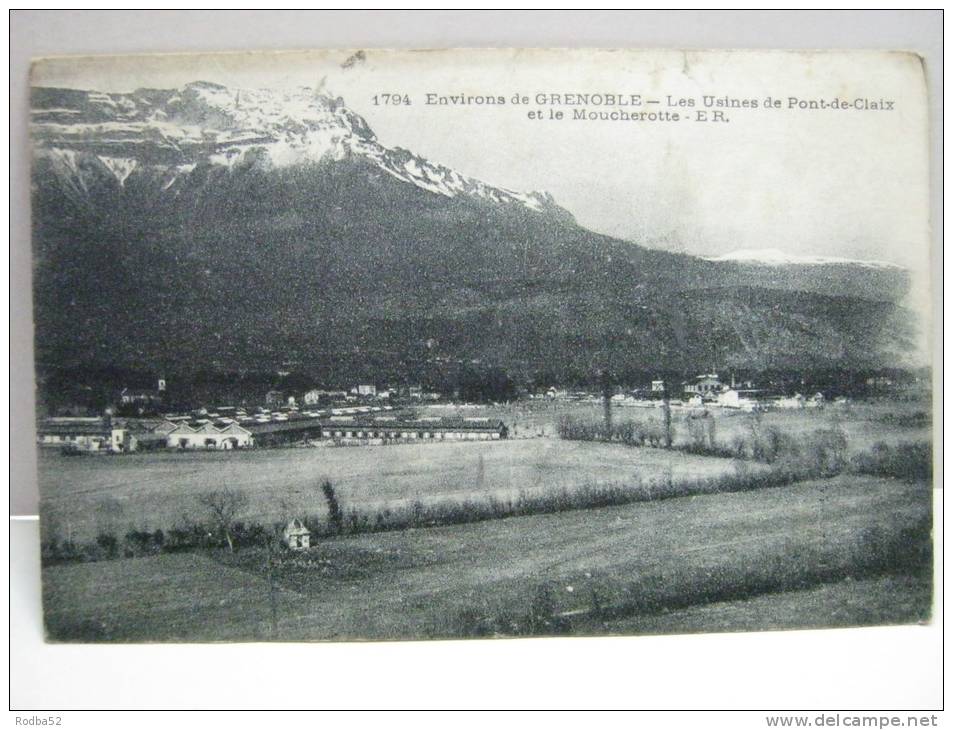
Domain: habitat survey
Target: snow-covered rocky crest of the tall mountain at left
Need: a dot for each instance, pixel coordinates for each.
(204, 122)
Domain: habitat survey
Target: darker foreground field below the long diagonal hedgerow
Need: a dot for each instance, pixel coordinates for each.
(447, 581)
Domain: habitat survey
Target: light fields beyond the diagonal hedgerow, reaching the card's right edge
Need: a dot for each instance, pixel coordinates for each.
(146, 491)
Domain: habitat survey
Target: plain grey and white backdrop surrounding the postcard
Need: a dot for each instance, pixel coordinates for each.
(882, 669)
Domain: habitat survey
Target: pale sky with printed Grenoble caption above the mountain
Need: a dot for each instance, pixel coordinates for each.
(834, 182)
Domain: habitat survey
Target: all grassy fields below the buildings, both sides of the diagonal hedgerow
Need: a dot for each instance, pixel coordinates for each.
(849, 549)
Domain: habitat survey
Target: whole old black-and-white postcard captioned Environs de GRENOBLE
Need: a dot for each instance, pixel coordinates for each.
(350, 345)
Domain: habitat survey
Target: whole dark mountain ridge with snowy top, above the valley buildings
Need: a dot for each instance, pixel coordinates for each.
(208, 227)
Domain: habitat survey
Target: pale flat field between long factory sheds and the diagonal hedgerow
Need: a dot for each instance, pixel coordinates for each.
(83, 495)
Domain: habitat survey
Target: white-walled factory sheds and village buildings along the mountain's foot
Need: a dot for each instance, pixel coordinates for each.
(361, 415)
